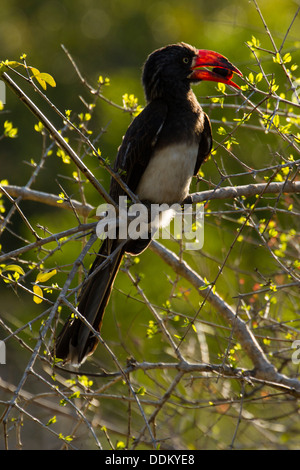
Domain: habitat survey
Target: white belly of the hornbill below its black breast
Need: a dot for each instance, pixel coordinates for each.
(168, 175)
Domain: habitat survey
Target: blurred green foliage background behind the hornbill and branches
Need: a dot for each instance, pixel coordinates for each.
(111, 40)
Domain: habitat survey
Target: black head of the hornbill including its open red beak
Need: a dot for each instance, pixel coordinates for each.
(179, 65)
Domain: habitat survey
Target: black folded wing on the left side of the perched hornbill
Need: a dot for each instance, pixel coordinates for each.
(138, 146)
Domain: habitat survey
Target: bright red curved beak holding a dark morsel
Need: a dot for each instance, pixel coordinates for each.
(222, 70)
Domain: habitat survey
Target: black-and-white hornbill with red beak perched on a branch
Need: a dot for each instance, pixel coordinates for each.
(162, 150)
